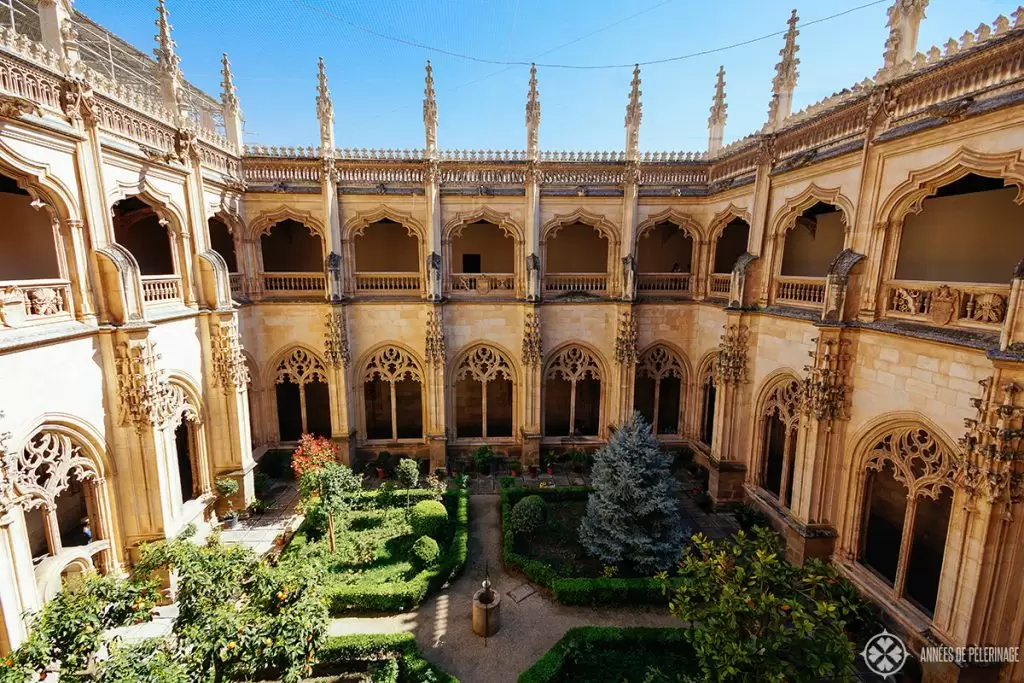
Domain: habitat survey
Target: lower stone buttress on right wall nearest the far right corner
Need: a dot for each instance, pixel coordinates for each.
(728, 464)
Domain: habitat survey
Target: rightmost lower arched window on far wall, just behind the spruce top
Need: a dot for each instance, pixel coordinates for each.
(658, 391)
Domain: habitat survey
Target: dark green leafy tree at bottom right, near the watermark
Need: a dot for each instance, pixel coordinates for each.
(757, 618)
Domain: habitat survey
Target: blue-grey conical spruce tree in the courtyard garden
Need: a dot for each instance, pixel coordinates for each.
(633, 515)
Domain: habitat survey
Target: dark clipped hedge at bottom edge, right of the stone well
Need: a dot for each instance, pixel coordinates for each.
(553, 665)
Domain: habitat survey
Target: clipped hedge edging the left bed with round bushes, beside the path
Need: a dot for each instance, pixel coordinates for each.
(404, 596)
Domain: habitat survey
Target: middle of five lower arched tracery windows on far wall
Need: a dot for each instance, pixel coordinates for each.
(484, 395)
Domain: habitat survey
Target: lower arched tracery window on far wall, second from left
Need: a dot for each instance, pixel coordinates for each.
(393, 393)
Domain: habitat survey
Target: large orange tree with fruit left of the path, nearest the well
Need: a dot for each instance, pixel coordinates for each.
(237, 615)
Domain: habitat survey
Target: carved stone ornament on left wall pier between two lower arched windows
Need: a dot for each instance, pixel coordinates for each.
(147, 399)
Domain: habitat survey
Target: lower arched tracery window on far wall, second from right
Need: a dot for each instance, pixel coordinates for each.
(573, 395)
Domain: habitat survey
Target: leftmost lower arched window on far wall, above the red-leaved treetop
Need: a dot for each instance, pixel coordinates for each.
(304, 399)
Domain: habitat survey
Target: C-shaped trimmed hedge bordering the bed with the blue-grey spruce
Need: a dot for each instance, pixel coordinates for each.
(566, 590)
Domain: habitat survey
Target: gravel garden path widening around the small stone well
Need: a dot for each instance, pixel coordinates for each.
(530, 628)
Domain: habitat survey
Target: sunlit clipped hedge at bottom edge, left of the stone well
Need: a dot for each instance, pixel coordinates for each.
(412, 667)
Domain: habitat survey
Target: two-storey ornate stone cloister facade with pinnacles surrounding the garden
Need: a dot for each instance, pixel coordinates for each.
(828, 311)
